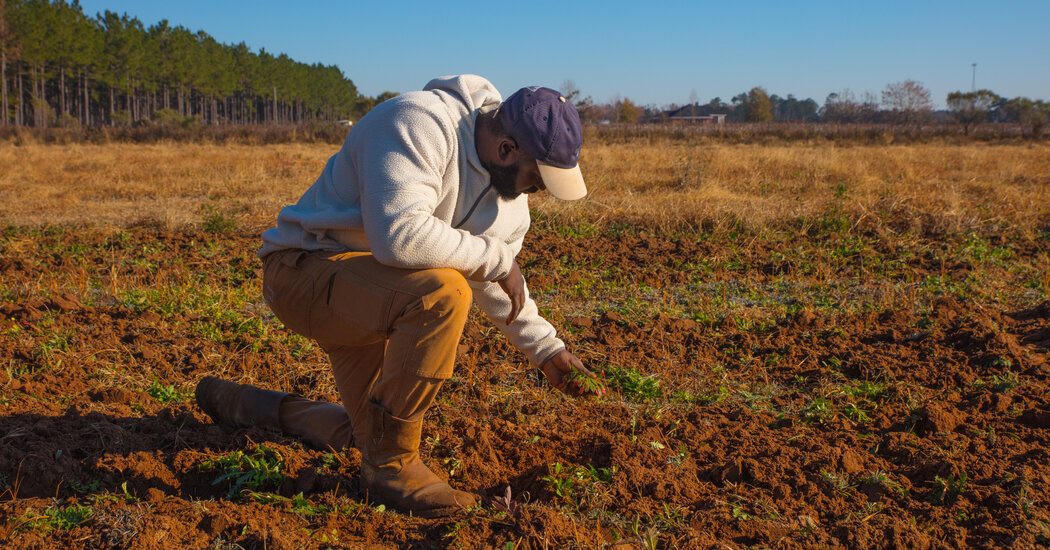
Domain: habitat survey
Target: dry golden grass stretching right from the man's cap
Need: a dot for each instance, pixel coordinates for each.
(753, 187)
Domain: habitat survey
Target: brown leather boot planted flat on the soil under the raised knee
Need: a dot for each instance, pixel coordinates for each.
(393, 474)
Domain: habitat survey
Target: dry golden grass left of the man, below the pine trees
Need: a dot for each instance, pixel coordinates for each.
(166, 185)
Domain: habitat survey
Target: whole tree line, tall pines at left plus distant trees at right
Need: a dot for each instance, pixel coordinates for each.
(61, 68)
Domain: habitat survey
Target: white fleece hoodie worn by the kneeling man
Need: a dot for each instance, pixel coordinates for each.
(408, 185)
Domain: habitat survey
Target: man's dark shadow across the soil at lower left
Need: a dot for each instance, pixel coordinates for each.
(74, 455)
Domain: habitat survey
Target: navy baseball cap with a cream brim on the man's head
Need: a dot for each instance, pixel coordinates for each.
(547, 126)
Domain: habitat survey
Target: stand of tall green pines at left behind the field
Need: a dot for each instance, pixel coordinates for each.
(60, 68)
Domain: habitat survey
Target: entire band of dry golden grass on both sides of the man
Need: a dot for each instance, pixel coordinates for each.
(667, 185)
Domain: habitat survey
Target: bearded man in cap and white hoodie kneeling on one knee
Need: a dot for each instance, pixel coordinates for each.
(422, 213)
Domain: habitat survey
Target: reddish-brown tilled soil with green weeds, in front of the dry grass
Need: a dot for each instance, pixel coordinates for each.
(857, 392)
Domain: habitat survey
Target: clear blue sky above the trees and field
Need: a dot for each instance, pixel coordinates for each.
(653, 53)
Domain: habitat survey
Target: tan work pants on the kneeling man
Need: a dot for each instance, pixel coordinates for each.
(391, 334)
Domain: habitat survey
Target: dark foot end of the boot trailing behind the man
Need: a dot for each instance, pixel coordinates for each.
(240, 405)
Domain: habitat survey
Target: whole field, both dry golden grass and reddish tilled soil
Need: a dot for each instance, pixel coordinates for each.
(807, 346)
